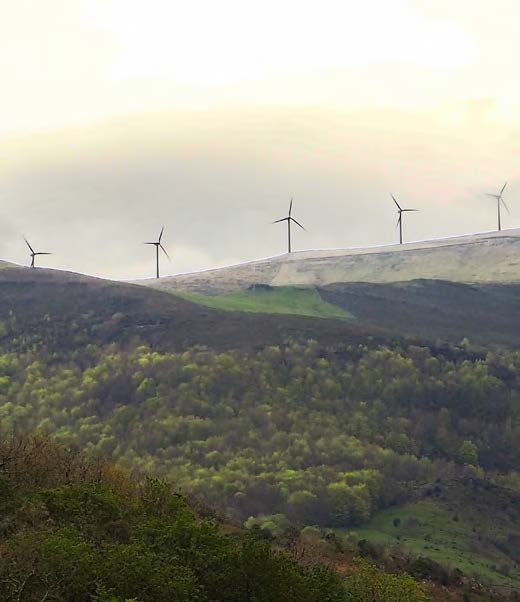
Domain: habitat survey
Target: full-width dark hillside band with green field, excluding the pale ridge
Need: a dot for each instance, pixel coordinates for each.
(64, 310)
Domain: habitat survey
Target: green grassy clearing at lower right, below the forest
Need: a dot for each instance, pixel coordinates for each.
(429, 529)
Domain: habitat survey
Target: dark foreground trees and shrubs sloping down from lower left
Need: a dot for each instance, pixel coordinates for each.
(76, 529)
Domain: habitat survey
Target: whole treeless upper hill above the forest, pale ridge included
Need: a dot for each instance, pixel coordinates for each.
(448, 290)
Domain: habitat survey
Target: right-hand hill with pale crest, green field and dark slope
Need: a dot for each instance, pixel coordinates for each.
(447, 290)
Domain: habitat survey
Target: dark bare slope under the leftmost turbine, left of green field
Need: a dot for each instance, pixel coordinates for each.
(63, 310)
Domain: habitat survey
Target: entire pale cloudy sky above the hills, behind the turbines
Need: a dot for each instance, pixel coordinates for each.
(121, 116)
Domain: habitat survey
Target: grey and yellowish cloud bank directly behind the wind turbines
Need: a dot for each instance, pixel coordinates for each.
(217, 179)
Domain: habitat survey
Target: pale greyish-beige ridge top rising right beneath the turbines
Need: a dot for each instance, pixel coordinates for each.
(477, 258)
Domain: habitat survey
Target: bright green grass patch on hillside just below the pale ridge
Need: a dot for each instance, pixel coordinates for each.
(301, 301)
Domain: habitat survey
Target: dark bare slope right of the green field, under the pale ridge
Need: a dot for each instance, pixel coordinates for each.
(435, 309)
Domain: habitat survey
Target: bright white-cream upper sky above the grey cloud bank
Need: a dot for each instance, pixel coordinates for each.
(68, 61)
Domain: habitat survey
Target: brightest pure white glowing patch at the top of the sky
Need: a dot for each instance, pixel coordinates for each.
(230, 41)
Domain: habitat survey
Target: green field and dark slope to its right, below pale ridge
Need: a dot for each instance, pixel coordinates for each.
(428, 310)
